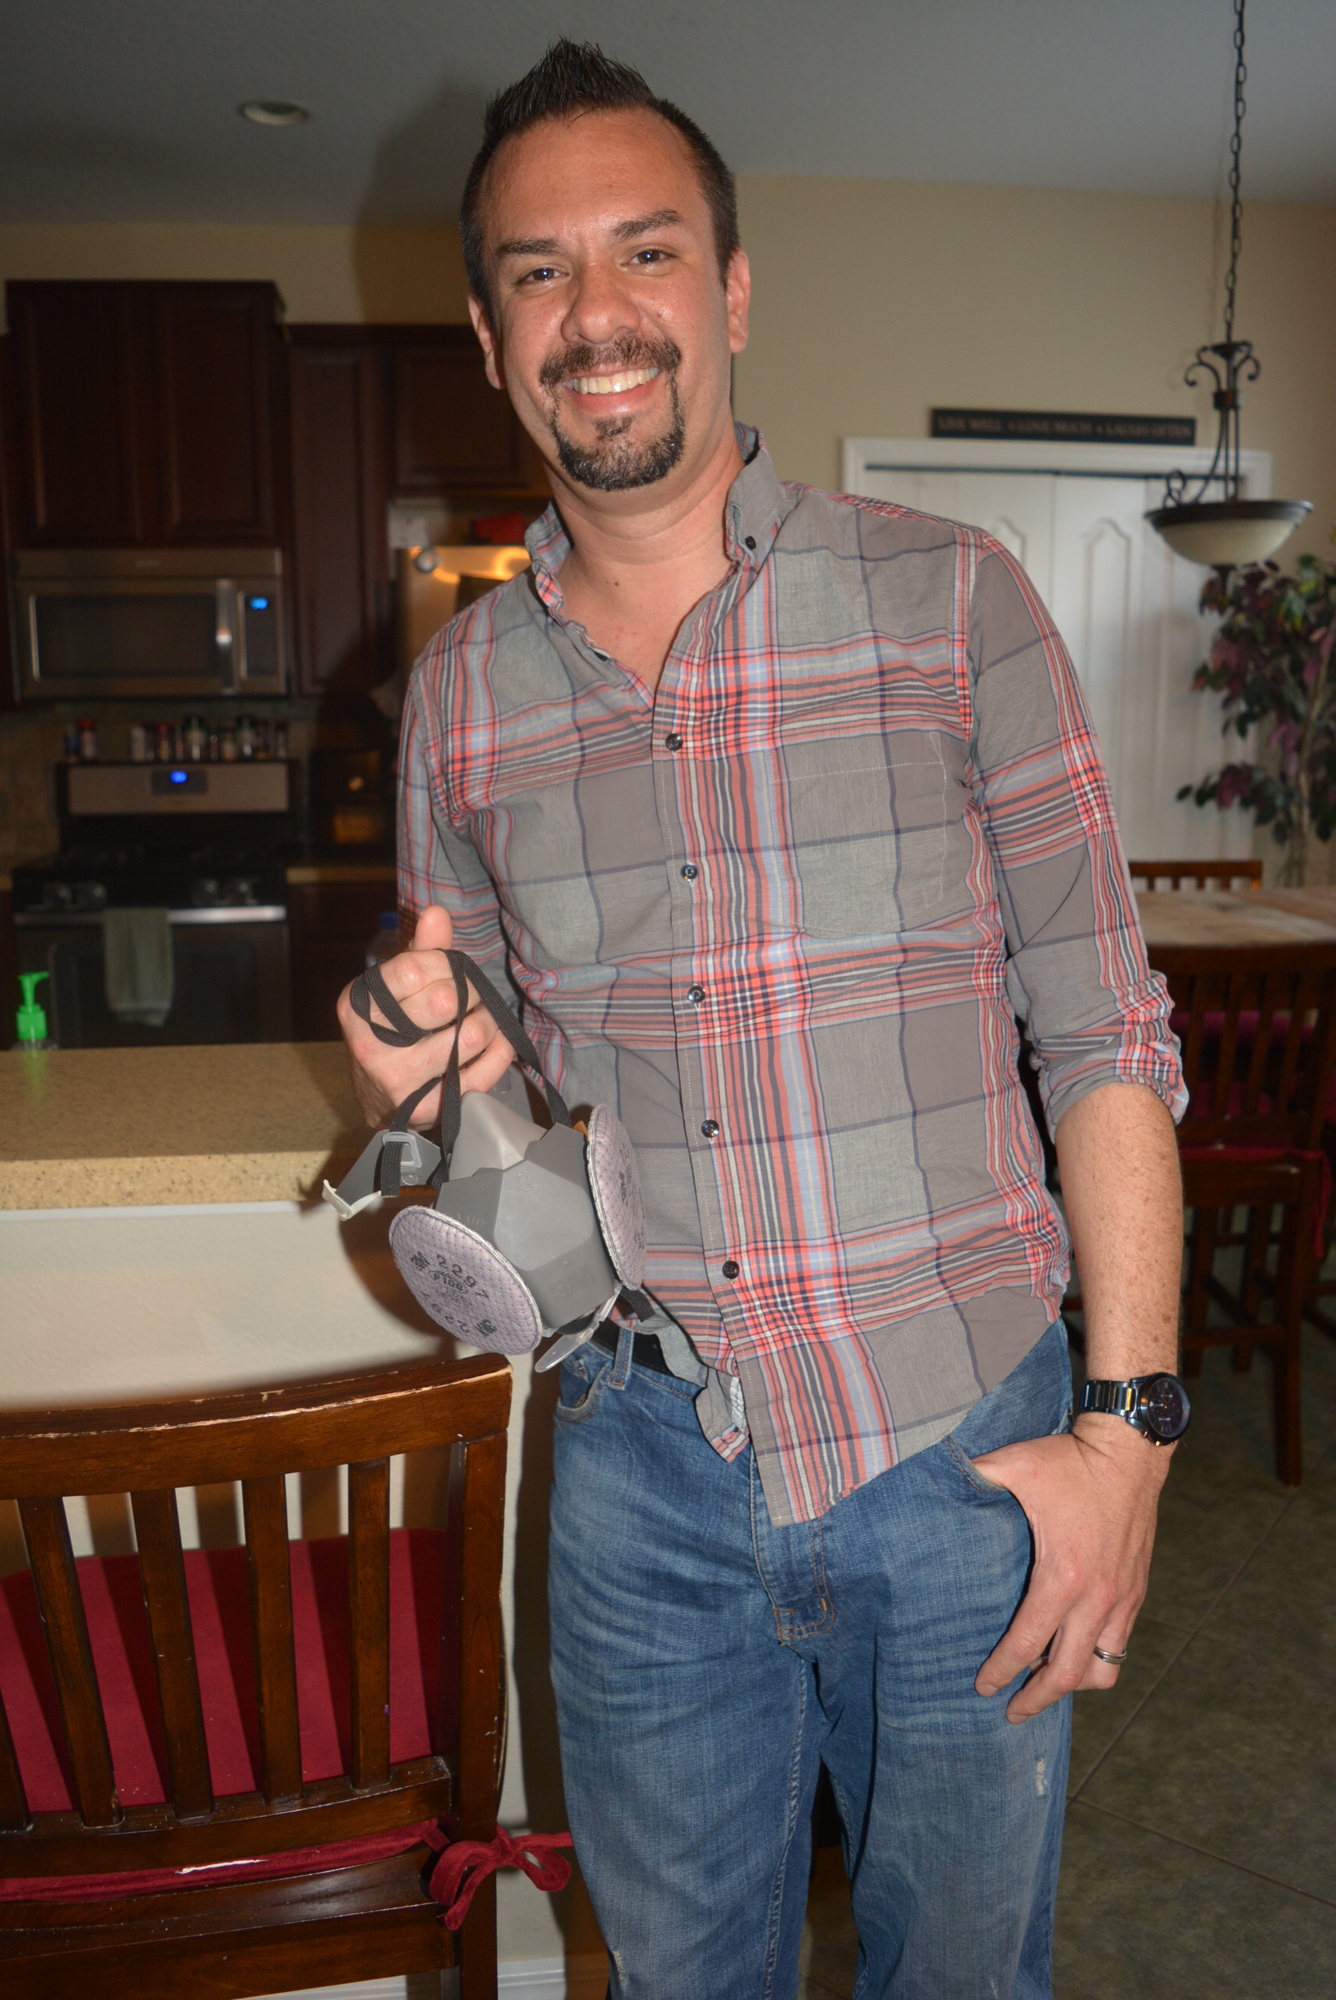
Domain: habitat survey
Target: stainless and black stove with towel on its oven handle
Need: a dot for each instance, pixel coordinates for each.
(199, 849)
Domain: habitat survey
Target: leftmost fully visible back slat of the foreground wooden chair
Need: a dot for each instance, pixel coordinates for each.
(55, 1579)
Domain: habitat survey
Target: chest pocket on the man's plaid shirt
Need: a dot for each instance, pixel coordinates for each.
(881, 847)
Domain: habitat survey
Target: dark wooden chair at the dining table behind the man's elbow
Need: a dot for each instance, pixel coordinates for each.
(1259, 1041)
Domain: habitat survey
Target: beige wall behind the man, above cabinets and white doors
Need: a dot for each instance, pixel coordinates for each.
(879, 299)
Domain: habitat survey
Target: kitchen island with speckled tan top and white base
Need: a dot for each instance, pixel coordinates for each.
(161, 1231)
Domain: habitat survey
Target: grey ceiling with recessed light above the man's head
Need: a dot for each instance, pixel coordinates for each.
(127, 113)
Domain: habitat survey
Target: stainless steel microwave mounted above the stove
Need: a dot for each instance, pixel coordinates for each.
(149, 621)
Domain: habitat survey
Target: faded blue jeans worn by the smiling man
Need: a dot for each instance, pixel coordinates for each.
(707, 1663)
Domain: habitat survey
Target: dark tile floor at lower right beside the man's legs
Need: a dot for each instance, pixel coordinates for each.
(1201, 1839)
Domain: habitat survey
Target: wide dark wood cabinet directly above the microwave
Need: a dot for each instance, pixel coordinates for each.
(145, 413)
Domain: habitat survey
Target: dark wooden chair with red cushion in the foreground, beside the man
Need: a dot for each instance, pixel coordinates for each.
(229, 1633)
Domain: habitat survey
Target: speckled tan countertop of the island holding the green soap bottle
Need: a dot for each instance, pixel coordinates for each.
(143, 1127)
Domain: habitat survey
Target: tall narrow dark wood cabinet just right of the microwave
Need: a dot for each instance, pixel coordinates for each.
(341, 559)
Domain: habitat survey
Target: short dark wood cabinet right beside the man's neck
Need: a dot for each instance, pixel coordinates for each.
(451, 429)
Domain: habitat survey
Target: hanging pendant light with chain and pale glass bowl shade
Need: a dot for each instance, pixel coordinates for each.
(1227, 533)
